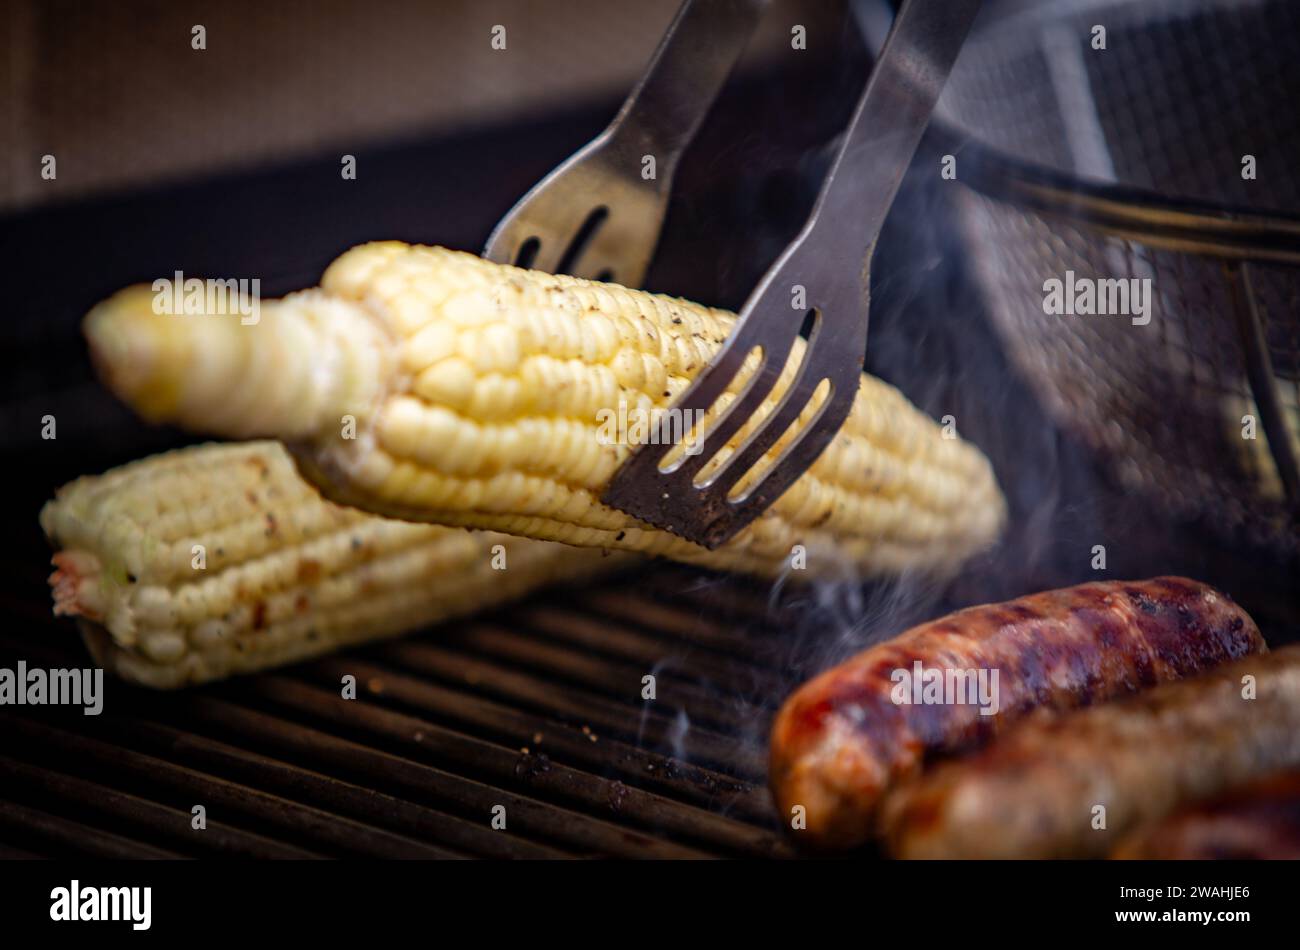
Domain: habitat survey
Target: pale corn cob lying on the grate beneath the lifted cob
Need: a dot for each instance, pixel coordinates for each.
(220, 559)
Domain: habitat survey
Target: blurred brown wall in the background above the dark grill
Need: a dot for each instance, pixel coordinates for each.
(116, 93)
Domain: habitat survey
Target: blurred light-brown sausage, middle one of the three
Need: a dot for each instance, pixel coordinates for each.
(1039, 791)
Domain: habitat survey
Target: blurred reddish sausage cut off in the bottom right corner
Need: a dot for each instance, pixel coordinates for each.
(1256, 822)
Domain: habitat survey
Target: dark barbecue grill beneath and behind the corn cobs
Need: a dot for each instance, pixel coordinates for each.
(539, 706)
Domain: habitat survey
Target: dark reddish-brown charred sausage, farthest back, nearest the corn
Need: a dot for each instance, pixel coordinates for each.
(842, 740)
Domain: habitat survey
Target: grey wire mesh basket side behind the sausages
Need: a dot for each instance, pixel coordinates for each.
(1191, 99)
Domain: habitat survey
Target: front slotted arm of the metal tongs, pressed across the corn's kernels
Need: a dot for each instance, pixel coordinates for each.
(829, 266)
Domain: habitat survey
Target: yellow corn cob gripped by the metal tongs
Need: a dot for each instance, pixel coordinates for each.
(431, 385)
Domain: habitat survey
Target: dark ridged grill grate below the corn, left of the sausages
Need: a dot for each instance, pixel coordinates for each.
(536, 708)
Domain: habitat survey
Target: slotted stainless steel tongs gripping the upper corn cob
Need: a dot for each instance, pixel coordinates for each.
(597, 216)
